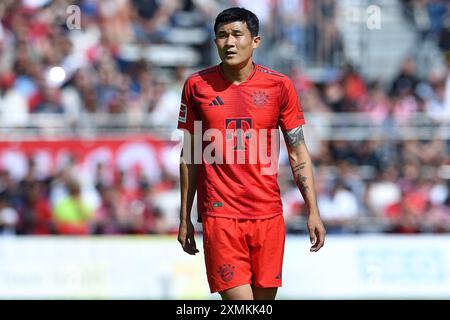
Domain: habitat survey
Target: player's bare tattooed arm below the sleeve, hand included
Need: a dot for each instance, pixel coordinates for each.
(302, 170)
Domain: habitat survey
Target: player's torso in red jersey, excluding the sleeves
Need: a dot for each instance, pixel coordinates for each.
(233, 184)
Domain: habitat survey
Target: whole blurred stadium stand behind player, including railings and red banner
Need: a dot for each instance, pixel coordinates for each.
(88, 115)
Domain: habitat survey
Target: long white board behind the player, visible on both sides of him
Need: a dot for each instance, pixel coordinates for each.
(348, 267)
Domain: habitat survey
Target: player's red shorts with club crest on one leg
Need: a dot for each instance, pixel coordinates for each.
(243, 251)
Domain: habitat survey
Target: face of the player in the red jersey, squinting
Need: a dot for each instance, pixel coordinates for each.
(235, 43)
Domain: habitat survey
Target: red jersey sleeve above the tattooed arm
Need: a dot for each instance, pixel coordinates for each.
(291, 113)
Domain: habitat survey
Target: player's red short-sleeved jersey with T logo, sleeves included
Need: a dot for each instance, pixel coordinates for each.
(265, 100)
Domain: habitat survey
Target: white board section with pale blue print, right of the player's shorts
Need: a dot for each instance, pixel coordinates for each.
(369, 267)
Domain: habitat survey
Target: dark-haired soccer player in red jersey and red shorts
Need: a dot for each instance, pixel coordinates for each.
(238, 202)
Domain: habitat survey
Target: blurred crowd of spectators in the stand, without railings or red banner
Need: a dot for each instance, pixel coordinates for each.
(373, 185)
